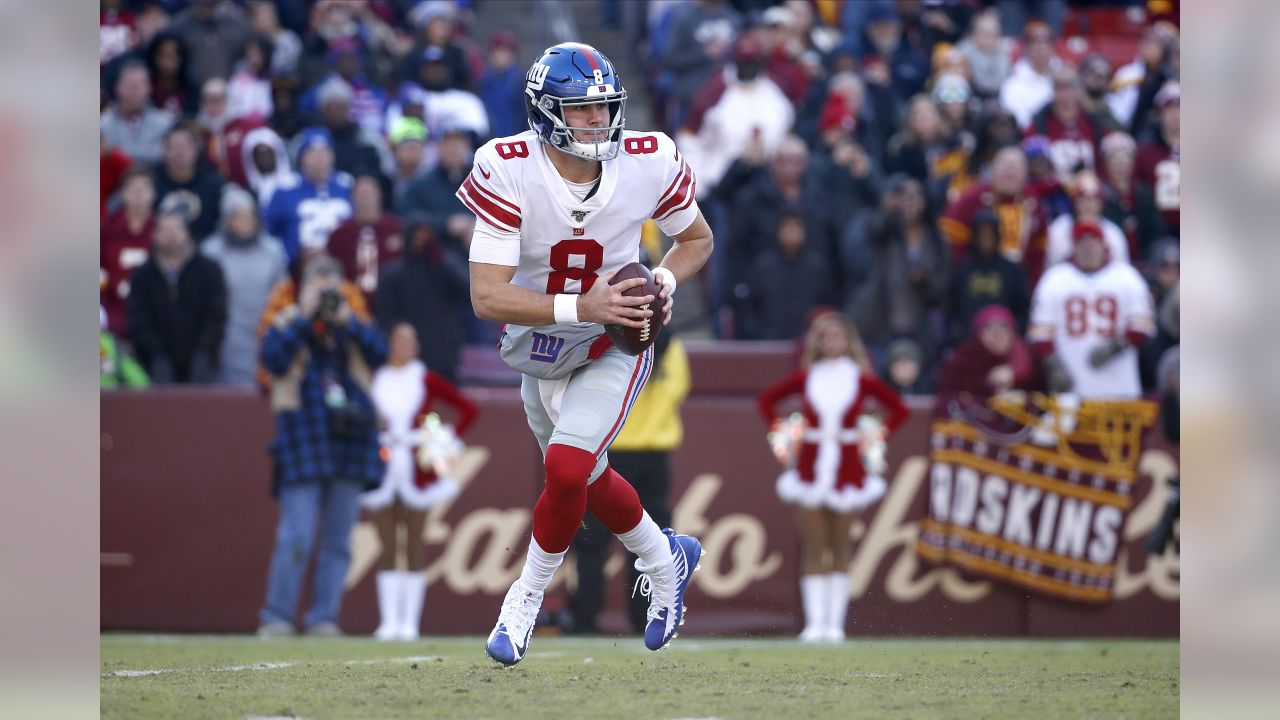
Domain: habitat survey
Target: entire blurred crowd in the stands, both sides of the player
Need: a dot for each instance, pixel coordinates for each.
(906, 162)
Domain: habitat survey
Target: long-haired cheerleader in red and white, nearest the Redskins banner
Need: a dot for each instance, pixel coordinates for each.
(825, 479)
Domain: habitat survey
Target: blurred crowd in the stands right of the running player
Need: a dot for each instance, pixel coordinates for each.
(913, 162)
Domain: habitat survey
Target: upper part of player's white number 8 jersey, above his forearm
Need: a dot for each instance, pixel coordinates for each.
(531, 220)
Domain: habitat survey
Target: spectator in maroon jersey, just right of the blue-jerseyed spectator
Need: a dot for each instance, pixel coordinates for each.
(368, 241)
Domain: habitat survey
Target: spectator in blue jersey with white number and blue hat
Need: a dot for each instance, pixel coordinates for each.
(304, 212)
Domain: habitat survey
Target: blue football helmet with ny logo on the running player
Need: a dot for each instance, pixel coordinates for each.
(569, 75)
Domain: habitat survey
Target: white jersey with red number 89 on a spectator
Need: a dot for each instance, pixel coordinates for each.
(1078, 312)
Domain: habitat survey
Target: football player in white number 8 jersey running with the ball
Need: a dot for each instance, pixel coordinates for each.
(560, 211)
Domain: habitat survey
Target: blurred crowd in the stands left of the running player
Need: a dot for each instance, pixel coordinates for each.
(244, 140)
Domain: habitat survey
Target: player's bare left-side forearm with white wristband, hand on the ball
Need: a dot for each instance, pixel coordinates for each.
(495, 298)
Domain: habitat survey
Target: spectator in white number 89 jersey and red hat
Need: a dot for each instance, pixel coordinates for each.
(1087, 318)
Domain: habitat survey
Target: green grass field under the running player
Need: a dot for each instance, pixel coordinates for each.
(569, 678)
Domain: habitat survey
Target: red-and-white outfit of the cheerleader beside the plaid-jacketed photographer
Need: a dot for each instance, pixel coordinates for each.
(404, 398)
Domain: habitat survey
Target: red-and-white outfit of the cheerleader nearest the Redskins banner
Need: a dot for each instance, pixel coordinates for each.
(829, 467)
